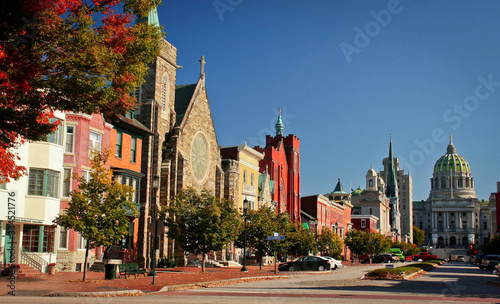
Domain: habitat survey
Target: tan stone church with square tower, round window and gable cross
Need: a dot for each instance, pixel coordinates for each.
(184, 151)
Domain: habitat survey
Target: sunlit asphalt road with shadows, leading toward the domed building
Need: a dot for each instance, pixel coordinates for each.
(457, 282)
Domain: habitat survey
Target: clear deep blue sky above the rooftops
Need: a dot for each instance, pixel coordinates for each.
(347, 74)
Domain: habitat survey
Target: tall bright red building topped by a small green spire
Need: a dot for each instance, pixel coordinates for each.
(282, 162)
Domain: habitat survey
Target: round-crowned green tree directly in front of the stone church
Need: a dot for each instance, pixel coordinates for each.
(202, 223)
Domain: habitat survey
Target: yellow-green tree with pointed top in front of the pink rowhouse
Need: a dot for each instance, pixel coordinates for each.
(98, 207)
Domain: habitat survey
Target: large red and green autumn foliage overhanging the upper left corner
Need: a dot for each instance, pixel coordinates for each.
(68, 55)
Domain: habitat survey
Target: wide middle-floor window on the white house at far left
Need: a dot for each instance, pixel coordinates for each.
(43, 182)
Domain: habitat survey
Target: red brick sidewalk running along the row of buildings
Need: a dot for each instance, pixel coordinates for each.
(72, 281)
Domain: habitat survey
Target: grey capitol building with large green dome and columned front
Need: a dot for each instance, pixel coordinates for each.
(452, 216)
